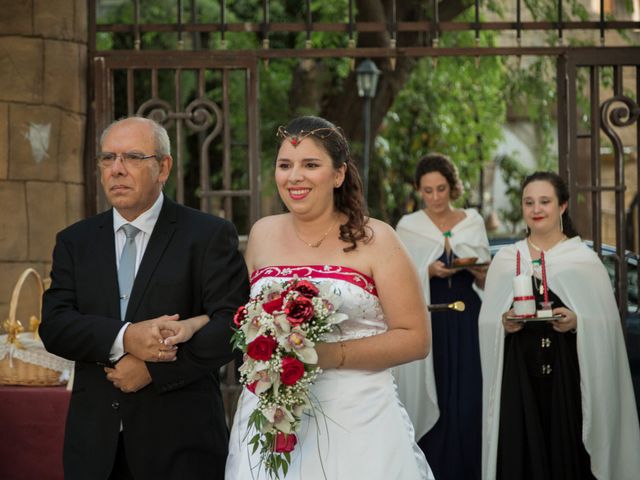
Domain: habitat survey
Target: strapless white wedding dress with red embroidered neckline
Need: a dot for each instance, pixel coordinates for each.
(359, 429)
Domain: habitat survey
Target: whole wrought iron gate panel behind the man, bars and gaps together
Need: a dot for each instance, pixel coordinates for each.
(190, 94)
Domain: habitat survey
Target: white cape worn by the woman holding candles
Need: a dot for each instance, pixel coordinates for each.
(609, 419)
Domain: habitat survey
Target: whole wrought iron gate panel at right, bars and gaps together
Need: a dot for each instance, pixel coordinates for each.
(599, 123)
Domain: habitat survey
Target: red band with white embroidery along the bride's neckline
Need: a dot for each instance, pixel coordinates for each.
(335, 272)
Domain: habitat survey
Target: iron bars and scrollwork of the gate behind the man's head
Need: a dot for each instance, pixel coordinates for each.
(200, 115)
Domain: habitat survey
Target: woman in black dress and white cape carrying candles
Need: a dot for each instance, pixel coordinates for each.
(544, 381)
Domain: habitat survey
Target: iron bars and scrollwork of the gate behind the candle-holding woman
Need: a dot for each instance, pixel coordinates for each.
(618, 111)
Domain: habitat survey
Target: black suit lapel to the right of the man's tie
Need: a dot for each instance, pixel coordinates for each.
(162, 233)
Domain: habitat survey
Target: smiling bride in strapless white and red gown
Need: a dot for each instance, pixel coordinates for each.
(359, 428)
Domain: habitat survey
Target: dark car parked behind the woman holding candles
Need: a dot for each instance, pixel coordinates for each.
(632, 319)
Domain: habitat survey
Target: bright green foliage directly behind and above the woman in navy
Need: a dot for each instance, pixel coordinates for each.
(456, 107)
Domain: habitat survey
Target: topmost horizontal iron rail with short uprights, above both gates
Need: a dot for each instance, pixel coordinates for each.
(432, 27)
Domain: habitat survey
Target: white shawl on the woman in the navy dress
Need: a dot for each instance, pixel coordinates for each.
(425, 243)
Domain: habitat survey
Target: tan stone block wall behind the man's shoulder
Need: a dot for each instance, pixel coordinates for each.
(43, 61)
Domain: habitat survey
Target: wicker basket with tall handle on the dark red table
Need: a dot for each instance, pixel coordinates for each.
(23, 358)
